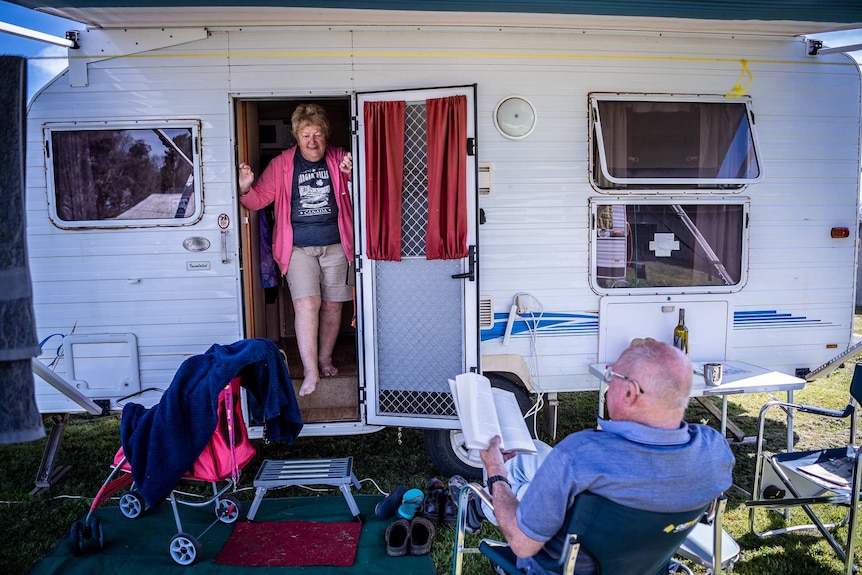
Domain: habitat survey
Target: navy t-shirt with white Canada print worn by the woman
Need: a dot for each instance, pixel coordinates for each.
(313, 211)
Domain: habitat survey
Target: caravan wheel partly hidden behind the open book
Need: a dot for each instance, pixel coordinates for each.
(446, 446)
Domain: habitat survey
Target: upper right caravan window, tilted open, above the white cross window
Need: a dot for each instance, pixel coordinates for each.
(672, 144)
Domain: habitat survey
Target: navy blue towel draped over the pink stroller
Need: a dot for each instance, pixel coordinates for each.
(161, 443)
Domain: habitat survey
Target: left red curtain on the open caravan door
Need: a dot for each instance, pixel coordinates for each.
(384, 173)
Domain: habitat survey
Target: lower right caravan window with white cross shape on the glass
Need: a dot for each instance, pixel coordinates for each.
(667, 247)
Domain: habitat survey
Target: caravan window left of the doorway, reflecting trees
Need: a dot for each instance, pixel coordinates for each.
(129, 175)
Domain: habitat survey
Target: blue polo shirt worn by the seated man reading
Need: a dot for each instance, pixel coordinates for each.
(629, 463)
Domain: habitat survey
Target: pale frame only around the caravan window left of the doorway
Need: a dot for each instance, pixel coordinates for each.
(50, 128)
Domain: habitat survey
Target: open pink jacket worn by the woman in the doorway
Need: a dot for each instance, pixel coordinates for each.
(275, 185)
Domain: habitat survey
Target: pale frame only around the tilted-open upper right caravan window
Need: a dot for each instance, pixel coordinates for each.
(597, 152)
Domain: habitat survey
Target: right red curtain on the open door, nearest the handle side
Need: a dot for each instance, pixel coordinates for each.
(447, 178)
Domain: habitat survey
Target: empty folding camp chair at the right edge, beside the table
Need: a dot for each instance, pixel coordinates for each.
(829, 476)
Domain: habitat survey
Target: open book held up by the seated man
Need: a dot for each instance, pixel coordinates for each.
(485, 411)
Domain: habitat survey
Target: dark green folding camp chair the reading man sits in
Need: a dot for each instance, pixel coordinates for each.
(621, 540)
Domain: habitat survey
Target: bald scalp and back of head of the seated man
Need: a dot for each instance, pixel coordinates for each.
(663, 371)
